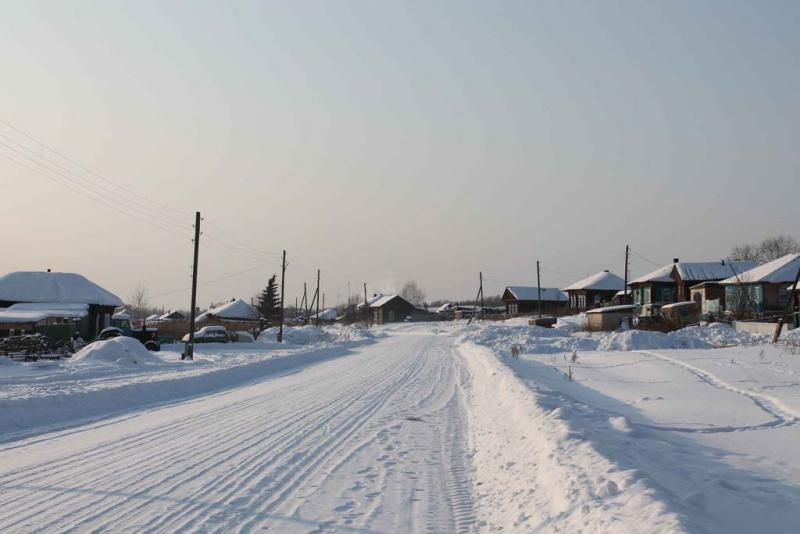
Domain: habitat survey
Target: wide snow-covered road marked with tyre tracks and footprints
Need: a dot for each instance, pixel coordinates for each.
(374, 440)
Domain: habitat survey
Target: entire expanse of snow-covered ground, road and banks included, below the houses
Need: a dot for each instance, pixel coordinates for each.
(412, 428)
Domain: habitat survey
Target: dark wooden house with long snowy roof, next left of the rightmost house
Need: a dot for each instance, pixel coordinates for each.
(672, 283)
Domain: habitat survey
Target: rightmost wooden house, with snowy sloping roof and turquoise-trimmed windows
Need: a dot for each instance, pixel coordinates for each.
(762, 289)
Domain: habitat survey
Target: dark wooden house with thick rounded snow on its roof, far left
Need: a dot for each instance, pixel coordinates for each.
(55, 304)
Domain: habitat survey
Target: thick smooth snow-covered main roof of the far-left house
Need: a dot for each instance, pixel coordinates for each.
(39, 286)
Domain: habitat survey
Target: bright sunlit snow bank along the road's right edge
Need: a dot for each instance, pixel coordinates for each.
(534, 473)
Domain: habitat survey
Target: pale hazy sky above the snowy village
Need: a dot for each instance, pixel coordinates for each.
(389, 141)
